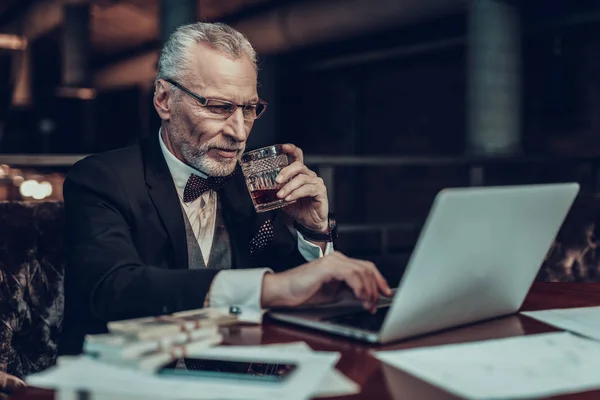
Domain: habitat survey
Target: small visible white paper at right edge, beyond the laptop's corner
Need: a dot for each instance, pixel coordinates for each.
(584, 321)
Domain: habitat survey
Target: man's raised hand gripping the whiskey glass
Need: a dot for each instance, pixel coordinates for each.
(304, 186)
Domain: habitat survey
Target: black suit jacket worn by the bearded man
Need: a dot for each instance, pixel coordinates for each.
(126, 242)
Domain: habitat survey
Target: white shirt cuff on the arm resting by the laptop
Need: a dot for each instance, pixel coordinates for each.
(240, 288)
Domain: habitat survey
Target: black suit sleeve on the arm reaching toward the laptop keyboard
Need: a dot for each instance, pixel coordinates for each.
(103, 265)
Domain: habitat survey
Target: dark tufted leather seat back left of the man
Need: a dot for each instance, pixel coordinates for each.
(31, 285)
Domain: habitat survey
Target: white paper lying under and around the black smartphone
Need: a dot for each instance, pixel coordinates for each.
(94, 376)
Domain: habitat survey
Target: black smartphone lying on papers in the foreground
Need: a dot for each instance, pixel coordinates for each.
(212, 368)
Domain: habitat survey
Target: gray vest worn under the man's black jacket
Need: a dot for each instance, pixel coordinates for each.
(220, 251)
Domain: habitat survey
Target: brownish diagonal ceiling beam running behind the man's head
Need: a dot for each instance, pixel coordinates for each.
(300, 24)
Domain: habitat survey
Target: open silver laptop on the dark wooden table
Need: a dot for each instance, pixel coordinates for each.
(476, 258)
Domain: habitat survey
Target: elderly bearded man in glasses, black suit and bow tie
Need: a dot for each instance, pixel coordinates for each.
(168, 224)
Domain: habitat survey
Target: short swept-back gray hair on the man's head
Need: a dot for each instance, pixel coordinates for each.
(174, 57)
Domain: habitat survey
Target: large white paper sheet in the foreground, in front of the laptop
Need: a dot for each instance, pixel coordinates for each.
(520, 367)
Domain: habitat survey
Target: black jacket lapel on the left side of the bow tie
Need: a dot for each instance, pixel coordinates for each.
(163, 194)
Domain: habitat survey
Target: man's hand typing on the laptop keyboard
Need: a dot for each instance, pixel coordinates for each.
(322, 280)
